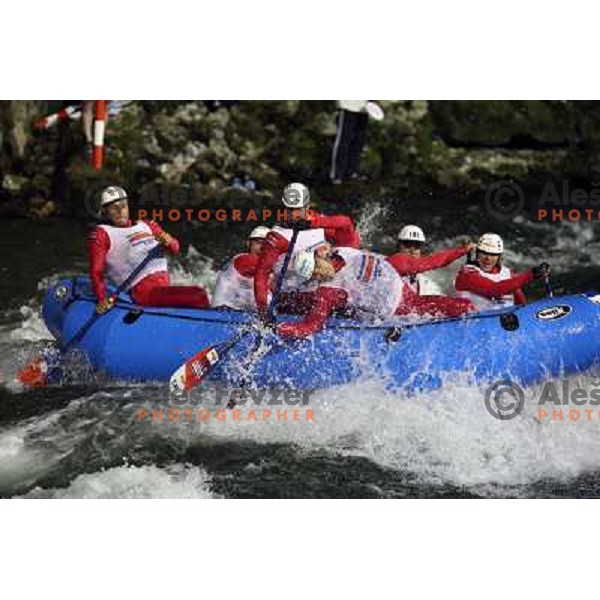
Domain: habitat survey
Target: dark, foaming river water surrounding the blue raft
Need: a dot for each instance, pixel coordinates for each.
(364, 442)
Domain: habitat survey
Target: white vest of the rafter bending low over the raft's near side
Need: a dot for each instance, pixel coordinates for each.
(372, 284)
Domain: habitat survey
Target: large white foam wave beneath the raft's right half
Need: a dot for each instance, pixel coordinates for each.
(441, 437)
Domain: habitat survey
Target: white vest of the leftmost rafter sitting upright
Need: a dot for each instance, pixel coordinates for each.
(128, 248)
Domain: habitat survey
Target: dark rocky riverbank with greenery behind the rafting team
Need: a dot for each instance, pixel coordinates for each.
(421, 148)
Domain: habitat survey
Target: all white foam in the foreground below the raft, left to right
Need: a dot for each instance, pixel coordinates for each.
(441, 437)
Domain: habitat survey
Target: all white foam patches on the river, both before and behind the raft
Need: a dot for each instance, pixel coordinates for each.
(442, 437)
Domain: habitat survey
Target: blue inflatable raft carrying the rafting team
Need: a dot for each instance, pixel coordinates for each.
(551, 337)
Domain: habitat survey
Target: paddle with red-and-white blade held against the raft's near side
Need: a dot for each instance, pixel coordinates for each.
(194, 370)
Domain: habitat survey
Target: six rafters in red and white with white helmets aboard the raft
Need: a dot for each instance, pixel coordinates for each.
(328, 273)
